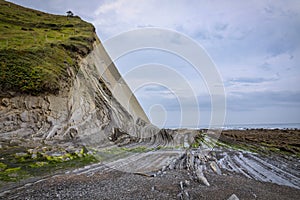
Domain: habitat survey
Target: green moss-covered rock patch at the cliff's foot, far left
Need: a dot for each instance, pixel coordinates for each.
(17, 165)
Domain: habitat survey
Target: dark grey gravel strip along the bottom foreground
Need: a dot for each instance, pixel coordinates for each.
(173, 184)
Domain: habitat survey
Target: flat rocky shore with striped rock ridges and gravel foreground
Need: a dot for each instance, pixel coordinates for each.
(247, 164)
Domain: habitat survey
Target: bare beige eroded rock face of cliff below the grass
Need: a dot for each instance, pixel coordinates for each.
(90, 112)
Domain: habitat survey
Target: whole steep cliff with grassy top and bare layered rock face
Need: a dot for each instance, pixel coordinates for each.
(67, 101)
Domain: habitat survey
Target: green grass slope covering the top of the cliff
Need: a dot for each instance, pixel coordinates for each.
(36, 49)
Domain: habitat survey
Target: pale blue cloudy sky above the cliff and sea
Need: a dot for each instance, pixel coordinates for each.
(254, 45)
